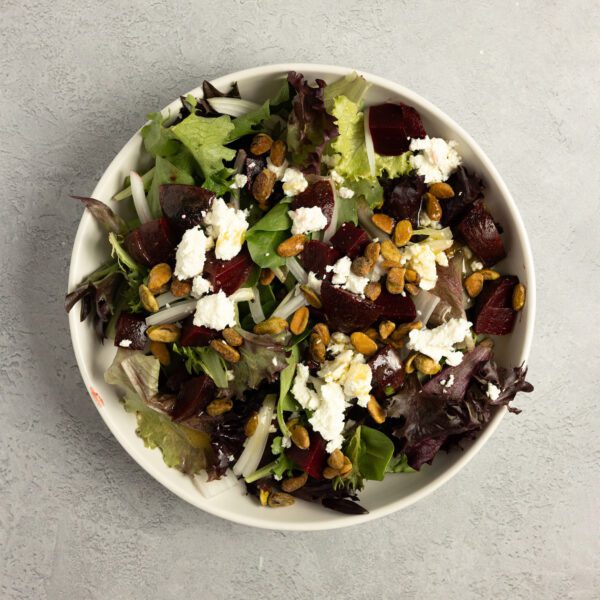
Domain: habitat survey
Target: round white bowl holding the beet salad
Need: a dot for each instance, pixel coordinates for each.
(380, 498)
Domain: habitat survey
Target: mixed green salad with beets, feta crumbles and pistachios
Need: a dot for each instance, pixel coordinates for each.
(304, 295)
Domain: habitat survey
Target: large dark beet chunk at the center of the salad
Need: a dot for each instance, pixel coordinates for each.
(346, 311)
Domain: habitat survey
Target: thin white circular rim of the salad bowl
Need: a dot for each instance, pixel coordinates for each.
(395, 505)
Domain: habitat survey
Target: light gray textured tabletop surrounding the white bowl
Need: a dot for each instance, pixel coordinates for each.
(79, 519)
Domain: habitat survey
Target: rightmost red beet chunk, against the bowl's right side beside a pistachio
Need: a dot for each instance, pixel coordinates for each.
(493, 311)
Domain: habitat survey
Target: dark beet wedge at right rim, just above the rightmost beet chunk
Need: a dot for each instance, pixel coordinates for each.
(481, 234)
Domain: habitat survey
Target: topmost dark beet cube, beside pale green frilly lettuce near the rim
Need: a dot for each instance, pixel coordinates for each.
(392, 126)
